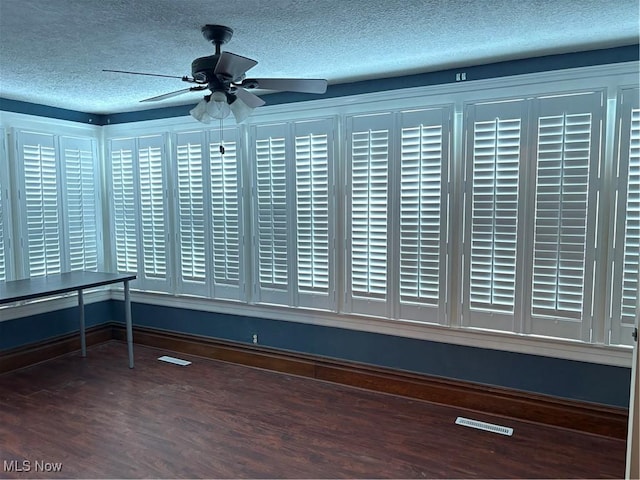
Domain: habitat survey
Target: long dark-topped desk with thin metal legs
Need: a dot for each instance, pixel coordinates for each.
(30, 288)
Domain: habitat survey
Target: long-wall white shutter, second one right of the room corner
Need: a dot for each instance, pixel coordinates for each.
(152, 212)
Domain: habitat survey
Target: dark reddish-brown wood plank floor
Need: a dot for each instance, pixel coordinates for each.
(213, 419)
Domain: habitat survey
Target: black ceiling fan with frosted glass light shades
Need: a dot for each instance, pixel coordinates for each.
(224, 74)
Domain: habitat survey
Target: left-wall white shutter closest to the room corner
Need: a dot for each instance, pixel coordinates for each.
(80, 191)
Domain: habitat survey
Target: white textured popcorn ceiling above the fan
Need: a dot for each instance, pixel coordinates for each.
(52, 51)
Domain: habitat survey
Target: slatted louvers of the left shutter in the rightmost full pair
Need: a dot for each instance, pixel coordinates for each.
(494, 212)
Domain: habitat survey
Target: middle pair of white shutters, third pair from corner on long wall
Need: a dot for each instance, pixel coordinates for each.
(293, 195)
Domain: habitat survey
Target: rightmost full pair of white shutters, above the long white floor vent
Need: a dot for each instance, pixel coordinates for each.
(531, 214)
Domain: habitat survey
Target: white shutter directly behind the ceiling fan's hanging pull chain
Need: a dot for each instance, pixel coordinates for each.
(226, 217)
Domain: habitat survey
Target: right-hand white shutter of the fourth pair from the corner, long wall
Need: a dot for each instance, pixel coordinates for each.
(424, 160)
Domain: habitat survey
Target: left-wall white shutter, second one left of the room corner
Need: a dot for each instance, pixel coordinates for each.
(37, 157)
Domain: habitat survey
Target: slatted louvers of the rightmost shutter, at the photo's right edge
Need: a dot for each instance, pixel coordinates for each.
(631, 260)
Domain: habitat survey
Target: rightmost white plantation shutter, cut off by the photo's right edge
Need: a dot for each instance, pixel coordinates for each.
(626, 240)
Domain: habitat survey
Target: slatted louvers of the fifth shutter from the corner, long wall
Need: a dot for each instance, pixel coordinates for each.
(272, 213)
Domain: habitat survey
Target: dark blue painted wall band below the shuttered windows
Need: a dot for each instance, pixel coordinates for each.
(570, 379)
